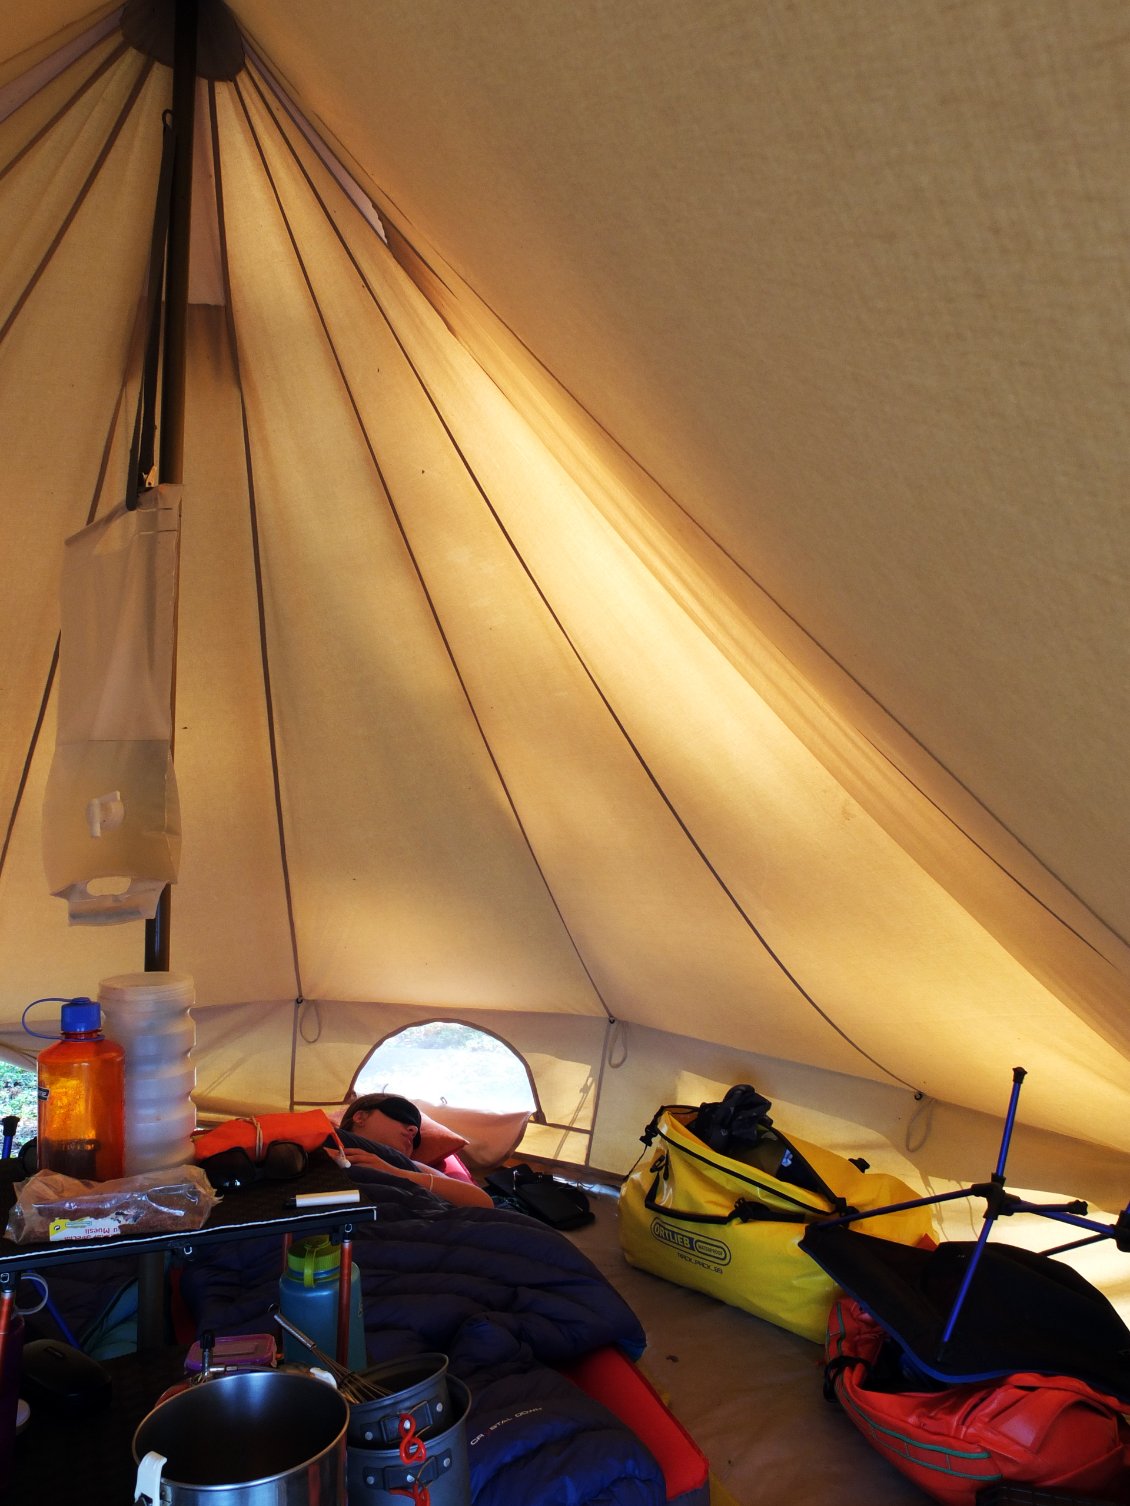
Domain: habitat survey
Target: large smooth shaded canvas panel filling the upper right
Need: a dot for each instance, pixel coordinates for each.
(792, 258)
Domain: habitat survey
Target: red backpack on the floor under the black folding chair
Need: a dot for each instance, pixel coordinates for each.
(1034, 1430)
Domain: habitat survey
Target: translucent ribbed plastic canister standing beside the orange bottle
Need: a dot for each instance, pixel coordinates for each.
(148, 1014)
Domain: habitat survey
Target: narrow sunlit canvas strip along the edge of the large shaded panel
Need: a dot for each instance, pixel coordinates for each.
(917, 802)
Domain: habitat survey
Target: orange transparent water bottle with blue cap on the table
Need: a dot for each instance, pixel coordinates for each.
(82, 1099)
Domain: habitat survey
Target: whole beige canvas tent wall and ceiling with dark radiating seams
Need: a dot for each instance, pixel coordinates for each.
(655, 553)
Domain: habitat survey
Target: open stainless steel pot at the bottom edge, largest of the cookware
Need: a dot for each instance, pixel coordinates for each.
(246, 1439)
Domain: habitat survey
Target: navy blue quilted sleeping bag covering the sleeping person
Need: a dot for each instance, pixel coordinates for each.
(507, 1299)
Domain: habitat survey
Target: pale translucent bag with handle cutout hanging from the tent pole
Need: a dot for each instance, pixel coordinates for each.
(112, 822)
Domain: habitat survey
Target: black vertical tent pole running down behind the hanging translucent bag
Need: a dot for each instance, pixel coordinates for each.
(171, 456)
